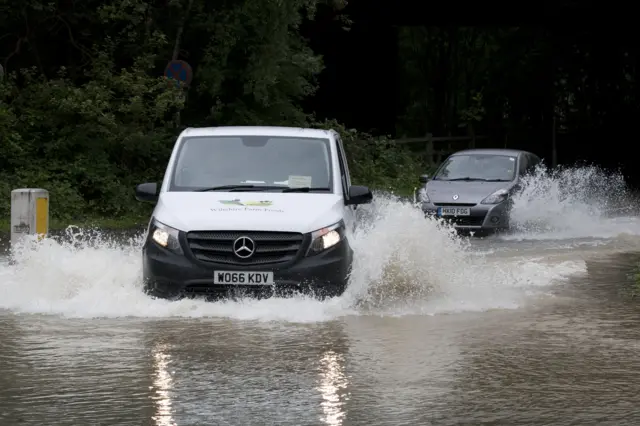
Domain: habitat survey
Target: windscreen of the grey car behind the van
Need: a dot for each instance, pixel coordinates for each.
(478, 167)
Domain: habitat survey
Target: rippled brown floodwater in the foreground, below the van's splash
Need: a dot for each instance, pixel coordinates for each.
(567, 359)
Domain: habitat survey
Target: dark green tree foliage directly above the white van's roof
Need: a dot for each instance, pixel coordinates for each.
(256, 67)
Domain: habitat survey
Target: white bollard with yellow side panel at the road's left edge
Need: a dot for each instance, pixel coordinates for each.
(29, 213)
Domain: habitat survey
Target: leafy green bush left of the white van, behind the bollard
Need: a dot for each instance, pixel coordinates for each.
(87, 144)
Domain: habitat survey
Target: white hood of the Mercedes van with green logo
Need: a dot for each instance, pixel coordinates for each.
(263, 211)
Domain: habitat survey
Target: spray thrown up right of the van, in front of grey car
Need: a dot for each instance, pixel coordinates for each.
(407, 263)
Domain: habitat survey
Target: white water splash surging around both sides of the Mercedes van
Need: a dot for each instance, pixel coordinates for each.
(404, 264)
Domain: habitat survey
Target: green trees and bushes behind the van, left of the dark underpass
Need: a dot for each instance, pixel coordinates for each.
(86, 113)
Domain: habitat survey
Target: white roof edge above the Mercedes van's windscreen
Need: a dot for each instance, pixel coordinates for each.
(258, 131)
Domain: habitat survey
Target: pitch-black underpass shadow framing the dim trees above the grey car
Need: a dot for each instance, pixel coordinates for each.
(362, 80)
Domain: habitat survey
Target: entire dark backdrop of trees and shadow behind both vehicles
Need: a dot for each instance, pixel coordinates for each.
(86, 112)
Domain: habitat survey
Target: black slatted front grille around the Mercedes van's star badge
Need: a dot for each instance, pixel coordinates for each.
(270, 247)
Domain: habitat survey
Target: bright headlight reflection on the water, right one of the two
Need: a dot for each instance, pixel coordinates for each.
(333, 382)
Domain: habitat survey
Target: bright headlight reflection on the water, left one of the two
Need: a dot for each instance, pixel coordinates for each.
(162, 384)
